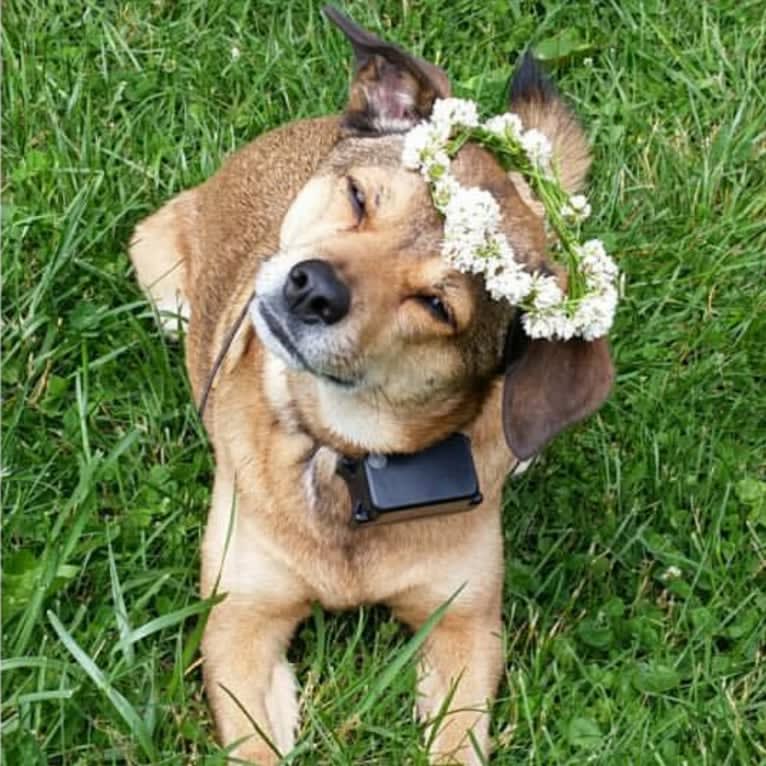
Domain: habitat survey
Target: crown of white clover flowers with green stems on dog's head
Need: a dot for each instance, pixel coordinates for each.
(474, 243)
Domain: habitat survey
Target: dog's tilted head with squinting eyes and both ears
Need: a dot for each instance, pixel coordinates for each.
(360, 301)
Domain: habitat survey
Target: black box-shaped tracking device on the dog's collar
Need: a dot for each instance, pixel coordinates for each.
(389, 488)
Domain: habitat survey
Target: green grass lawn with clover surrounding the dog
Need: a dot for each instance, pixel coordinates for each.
(635, 595)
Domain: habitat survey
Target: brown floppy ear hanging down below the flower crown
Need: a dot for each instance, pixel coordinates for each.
(552, 385)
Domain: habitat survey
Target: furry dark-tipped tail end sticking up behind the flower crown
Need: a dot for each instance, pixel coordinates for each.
(535, 98)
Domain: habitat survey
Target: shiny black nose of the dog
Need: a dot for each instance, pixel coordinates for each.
(314, 293)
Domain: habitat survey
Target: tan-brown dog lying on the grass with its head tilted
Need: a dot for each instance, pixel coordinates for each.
(361, 340)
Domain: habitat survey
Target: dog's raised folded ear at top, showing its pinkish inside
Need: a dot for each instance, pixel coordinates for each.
(392, 90)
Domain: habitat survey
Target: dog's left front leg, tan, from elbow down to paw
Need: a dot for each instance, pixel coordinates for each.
(249, 684)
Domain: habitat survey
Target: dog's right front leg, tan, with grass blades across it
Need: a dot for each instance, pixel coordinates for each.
(458, 675)
